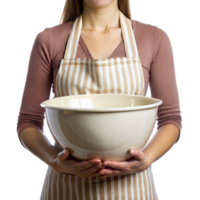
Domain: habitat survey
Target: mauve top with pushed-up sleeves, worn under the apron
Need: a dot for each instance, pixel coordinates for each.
(158, 63)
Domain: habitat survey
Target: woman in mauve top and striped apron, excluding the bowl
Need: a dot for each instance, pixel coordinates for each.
(142, 54)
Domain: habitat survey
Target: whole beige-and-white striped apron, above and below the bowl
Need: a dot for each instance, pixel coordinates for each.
(78, 76)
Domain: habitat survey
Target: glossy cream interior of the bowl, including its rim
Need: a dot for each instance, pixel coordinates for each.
(100, 101)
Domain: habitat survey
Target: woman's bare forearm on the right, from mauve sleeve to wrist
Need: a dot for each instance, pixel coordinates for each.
(162, 141)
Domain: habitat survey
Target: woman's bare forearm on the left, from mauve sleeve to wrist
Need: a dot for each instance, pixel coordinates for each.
(38, 145)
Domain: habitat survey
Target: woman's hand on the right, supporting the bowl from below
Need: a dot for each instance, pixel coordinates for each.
(138, 163)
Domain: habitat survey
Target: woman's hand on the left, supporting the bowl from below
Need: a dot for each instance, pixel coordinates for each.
(64, 163)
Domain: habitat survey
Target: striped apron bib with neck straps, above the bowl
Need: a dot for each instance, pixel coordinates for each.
(78, 76)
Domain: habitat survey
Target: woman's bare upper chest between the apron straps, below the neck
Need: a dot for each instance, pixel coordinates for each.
(101, 46)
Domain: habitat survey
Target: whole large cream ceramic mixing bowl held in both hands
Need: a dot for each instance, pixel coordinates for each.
(103, 126)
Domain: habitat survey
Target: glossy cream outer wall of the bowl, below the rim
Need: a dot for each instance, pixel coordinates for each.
(105, 135)
